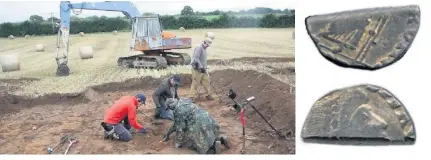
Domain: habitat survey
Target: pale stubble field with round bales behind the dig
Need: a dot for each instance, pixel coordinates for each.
(228, 43)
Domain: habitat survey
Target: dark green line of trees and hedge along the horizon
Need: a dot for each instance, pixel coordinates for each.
(188, 19)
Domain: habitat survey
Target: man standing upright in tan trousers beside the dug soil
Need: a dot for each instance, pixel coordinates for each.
(199, 73)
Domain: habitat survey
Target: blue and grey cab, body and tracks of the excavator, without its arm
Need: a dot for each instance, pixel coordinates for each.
(148, 38)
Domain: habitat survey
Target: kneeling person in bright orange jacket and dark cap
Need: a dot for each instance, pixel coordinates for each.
(121, 117)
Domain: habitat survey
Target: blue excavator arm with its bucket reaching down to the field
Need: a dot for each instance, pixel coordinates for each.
(127, 8)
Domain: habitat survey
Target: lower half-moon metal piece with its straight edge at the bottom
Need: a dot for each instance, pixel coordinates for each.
(359, 114)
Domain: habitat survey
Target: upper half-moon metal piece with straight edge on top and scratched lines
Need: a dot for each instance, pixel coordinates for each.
(365, 39)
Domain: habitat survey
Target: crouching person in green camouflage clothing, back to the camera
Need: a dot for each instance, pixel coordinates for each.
(195, 128)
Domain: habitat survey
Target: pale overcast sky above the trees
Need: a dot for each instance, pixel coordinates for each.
(16, 11)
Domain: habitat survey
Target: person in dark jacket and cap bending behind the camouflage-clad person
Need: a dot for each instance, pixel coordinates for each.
(167, 89)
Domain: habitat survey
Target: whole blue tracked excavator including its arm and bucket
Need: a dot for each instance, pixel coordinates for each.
(147, 37)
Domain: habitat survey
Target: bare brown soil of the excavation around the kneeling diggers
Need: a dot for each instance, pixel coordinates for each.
(30, 125)
